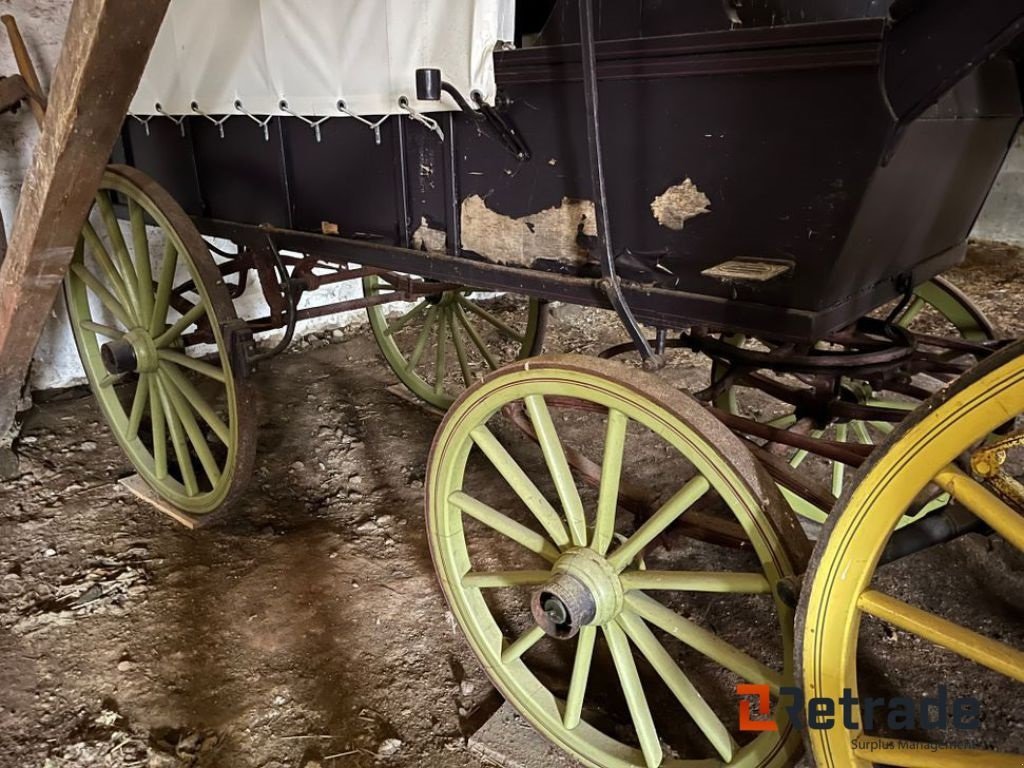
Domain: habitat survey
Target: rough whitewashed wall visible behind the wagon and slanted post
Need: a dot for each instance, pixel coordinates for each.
(57, 363)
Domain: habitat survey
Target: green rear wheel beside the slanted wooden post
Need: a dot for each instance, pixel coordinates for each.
(185, 421)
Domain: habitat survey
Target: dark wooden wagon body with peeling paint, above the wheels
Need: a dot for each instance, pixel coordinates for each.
(783, 181)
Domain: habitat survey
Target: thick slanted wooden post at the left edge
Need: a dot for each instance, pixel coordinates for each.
(106, 50)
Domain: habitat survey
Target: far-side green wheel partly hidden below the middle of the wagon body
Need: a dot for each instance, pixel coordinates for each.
(448, 342)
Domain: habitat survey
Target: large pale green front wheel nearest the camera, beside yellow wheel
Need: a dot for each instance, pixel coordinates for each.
(598, 636)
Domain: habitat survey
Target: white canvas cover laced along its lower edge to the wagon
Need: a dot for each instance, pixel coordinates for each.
(313, 54)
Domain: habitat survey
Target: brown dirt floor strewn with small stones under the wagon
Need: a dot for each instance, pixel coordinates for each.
(307, 629)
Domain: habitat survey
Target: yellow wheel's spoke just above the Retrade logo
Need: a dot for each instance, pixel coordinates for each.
(992, 654)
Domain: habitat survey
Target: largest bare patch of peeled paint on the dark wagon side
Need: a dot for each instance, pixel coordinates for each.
(549, 235)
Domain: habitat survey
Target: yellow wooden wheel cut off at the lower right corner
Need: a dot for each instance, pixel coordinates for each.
(948, 444)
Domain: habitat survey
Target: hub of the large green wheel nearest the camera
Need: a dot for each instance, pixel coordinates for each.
(584, 590)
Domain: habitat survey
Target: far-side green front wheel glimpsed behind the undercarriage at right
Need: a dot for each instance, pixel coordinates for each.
(938, 309)
